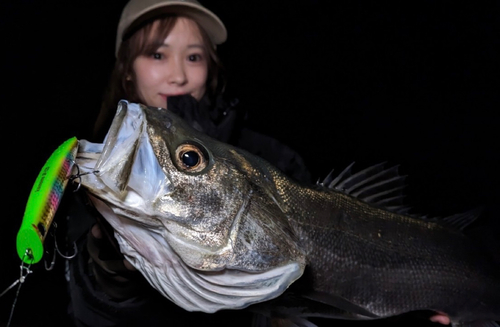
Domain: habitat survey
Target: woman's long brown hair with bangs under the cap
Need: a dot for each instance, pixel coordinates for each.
(144, 40)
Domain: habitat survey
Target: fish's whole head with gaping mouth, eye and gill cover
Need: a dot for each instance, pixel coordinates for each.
(202, 220)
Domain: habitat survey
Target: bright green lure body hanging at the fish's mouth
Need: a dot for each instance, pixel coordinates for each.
(44, 200)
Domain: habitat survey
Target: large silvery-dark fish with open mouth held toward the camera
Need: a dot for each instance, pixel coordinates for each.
(213, 227)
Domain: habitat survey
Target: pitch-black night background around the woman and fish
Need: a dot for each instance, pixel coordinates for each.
(413, 84)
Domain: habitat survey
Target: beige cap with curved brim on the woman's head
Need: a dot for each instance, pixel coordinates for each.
(137, 11)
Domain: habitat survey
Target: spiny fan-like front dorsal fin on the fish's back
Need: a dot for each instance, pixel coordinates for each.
(375, 185)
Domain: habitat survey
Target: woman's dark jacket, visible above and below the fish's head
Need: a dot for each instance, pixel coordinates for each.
(102, 291)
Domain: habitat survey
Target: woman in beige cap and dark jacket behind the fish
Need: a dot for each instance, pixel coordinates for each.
(165, 52)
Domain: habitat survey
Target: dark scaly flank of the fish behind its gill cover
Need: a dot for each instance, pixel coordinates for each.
(439, 261)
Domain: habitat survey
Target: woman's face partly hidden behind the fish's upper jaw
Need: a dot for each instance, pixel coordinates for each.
(179, 66)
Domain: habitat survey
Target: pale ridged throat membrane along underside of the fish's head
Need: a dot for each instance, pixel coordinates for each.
(189, 288)
